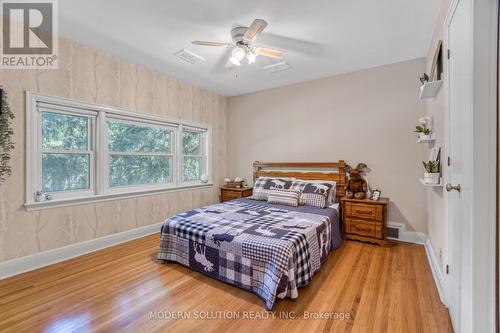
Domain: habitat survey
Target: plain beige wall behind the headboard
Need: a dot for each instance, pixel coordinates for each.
(365, 116)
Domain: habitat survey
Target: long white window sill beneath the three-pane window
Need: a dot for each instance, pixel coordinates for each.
(32, 206)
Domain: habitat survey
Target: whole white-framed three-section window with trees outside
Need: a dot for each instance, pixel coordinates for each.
(81, 152)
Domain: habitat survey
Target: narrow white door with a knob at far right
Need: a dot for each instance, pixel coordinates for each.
(457, 143)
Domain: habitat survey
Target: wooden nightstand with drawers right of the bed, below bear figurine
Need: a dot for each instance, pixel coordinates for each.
(365, 220)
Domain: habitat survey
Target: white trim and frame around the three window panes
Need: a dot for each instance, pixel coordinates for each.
(100, 190)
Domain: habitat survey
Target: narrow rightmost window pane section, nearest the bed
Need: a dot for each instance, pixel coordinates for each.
(193, 155)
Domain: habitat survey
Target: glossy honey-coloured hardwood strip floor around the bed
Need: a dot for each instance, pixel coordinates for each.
(383, 289)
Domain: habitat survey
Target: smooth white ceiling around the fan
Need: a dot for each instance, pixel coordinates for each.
(320, 37)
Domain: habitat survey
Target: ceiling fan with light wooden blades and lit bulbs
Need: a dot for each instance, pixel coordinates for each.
(242, 44)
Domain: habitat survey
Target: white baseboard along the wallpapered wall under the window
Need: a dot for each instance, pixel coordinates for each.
(25, 264)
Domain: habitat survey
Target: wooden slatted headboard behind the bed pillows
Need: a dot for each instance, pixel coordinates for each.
(304, 170)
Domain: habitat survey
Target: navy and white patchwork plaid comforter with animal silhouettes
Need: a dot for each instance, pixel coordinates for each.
(270, 250)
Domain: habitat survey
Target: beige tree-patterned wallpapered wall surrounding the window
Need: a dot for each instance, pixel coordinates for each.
(88, 75)
